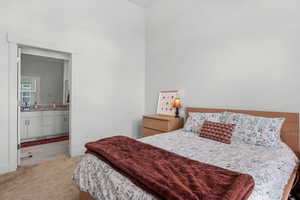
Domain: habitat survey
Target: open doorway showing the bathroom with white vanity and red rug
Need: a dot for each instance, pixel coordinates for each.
(43, 111)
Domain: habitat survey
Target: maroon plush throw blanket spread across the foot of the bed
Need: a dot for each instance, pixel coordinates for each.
(168, 175)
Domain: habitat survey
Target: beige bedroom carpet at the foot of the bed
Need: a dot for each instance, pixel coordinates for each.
(47, 180)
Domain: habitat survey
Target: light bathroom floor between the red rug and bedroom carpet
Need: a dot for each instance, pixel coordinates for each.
(36, 154)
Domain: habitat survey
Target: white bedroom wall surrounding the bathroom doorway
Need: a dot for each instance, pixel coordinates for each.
(108, 69)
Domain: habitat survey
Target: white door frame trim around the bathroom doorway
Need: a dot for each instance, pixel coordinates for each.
(14, 42)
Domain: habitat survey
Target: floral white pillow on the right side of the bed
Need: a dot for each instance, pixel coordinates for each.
(260, 131)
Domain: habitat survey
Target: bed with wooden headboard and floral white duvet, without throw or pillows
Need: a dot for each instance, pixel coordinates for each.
(273, 169)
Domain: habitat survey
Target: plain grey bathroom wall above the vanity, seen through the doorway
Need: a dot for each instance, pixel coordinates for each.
(50, 71)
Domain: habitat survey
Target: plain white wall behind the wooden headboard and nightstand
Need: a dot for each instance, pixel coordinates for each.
(233, 54)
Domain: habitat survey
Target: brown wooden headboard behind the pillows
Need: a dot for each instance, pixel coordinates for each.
(289, 131)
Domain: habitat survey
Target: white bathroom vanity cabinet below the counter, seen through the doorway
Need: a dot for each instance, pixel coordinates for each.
(39, 124)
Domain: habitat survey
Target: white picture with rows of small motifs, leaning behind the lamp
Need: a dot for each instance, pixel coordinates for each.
(165, 99)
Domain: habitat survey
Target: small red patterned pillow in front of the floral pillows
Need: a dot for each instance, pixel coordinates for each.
(217, 131)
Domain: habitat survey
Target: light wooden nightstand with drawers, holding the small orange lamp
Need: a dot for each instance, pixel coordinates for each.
(156, 124)
